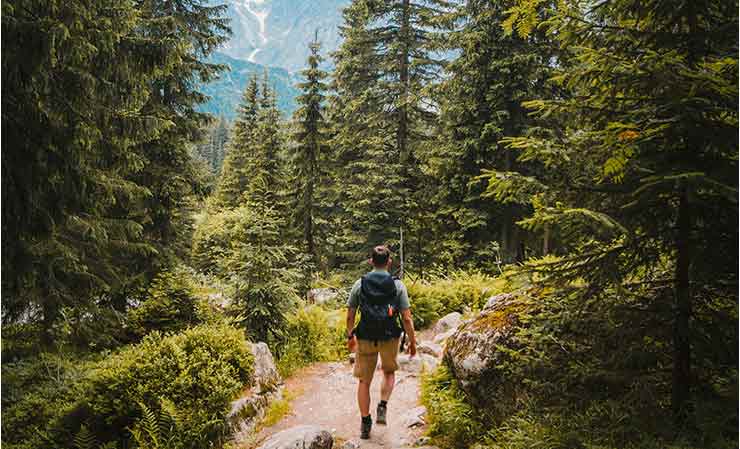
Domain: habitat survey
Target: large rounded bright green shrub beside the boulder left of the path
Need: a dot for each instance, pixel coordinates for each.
(199, 371)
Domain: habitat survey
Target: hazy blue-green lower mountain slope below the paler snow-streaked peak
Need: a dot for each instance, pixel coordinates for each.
(226, 91)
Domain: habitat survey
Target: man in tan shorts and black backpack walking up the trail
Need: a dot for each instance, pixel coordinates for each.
(383, 302)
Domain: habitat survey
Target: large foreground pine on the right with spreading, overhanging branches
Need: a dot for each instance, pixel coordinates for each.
(642, 160)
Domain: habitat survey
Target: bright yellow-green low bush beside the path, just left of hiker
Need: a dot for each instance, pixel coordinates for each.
(313, 335)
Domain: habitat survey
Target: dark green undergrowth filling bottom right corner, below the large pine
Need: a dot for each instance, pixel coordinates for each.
(589, 373)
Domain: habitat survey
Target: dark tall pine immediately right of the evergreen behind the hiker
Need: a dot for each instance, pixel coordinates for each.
(480, 103)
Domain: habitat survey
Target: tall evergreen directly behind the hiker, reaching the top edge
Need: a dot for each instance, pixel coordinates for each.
(382, 110)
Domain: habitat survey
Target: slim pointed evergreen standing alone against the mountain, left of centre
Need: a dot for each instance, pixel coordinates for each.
(309, 156)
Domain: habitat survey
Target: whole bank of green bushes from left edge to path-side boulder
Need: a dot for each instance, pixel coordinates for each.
(188, 378)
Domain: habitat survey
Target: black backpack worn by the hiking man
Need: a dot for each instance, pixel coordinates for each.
(379, 308)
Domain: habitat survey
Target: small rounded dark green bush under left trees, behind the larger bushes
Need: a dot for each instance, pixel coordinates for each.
(170, 305)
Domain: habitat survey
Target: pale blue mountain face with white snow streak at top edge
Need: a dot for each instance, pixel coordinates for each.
(276, 33)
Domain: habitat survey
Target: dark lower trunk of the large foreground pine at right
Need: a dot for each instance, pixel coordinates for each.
(681, 340)
